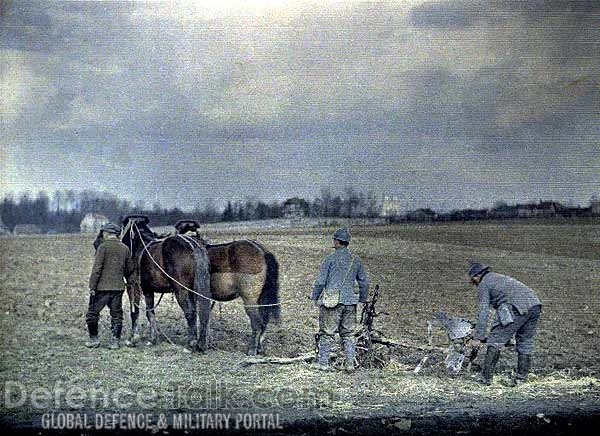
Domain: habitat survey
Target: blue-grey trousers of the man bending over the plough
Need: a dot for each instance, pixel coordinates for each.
(523, 328)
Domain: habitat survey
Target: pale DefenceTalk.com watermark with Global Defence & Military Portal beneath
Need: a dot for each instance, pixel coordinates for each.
(216, 404)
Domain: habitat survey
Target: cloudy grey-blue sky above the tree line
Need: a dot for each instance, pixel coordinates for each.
(445, 104)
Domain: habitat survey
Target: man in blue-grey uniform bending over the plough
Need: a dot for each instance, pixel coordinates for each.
(517, 312)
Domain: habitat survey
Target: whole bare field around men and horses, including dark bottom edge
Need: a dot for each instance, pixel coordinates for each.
(420, 270)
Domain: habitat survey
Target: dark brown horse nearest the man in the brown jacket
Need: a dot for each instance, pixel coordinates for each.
(171, 264)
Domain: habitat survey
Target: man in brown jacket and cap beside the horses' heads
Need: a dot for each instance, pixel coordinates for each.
(112, 263)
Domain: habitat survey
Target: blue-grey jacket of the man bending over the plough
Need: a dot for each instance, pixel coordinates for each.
(501, 291)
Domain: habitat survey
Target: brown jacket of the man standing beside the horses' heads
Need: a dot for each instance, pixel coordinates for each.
(112, 263)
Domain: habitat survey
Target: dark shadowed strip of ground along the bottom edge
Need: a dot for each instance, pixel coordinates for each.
(561, 417)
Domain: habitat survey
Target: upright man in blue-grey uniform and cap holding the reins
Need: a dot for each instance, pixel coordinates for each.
(339, 271)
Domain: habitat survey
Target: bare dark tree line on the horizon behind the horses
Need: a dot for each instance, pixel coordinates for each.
(63, 210)
